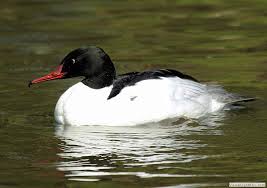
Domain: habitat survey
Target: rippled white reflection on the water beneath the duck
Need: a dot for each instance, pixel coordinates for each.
(93, 151)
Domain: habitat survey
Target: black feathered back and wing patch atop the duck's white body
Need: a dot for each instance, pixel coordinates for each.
(130, 79)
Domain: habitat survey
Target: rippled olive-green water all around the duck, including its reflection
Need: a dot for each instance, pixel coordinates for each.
(215, 41)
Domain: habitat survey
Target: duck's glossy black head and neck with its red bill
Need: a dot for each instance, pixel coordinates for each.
(91, 62)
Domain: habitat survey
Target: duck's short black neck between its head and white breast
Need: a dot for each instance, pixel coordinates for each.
(97, 82)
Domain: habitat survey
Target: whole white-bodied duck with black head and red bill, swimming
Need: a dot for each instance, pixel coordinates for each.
(104, 98)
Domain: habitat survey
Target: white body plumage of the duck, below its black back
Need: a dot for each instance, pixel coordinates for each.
(146, 101)
